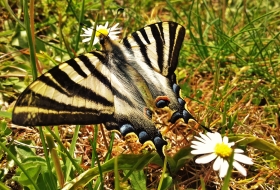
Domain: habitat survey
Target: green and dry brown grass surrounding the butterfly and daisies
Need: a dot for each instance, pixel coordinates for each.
(229, 74)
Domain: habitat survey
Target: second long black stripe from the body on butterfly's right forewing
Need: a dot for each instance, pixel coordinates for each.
(159, 45)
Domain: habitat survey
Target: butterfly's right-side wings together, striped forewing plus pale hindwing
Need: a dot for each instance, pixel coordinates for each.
(156, 48)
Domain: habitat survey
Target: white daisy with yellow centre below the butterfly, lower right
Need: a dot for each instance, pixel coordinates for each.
(213, 146)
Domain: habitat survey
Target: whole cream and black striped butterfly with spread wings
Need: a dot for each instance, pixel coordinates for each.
(121, 86)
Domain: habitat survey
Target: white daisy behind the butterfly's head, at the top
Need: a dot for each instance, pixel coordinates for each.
(100, 29)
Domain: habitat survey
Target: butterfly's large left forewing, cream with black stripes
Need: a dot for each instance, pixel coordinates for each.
(76, 92)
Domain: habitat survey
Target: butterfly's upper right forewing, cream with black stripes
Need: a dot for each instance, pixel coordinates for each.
(158, 46)
